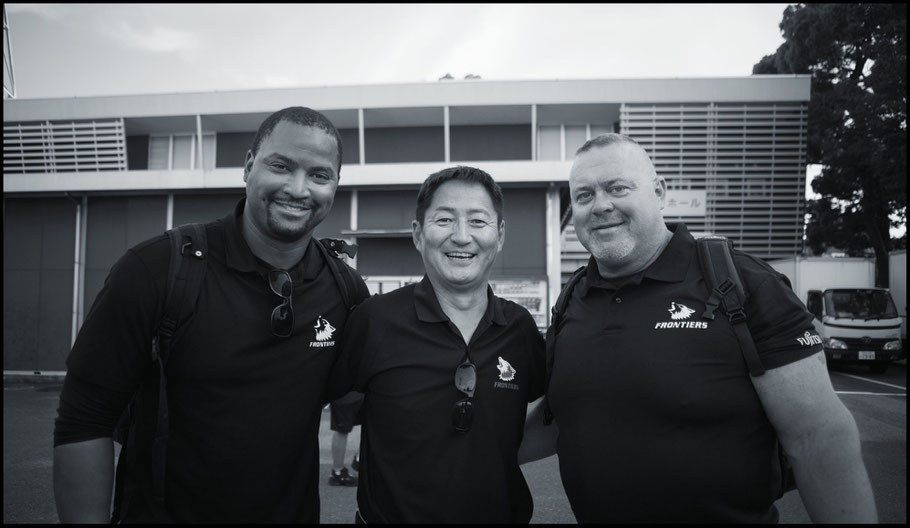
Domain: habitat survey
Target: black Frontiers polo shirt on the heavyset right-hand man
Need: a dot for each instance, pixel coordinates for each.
(658, 418)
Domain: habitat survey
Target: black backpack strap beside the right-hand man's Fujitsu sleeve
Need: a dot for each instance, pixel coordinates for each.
(715, 256)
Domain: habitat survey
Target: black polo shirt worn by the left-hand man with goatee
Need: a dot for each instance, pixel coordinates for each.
(244, 405)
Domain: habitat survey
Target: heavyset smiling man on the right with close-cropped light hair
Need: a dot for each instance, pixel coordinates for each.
(659, 419)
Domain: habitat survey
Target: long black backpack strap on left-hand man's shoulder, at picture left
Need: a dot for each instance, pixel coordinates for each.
(186, 272)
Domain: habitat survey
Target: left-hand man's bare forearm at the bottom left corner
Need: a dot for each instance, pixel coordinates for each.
(84, 480)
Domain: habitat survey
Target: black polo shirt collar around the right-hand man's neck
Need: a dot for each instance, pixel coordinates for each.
(671, 266)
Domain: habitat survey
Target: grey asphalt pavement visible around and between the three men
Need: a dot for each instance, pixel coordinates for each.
(878, 403)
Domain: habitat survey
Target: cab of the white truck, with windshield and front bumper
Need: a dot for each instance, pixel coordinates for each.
(857, 325)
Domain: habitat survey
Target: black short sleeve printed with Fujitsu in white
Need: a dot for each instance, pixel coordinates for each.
(781, 326)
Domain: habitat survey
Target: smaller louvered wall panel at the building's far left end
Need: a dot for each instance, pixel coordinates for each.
(76, 146)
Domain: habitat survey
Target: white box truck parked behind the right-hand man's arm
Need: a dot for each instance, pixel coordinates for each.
(858, 323)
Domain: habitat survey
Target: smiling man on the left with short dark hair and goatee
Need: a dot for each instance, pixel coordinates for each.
(246, 375)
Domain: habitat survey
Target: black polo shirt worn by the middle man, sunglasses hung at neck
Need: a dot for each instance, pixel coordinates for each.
(402, 351)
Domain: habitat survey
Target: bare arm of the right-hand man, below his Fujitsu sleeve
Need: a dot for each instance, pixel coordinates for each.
(821, 439)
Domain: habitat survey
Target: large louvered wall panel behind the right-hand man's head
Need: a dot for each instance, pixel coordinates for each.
(750, 158)
